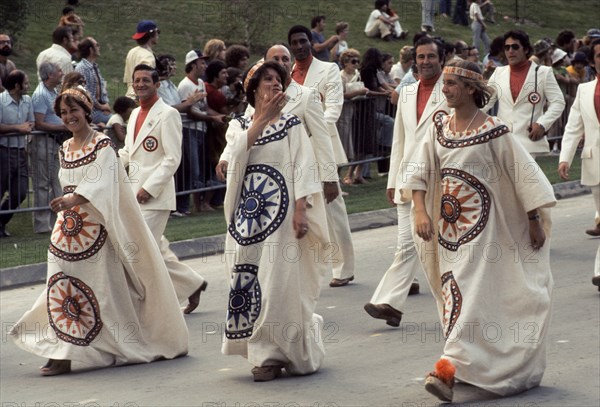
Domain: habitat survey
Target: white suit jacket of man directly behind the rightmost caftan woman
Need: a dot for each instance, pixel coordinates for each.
(407, 133)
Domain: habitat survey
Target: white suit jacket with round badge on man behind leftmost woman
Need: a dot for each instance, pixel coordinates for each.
(155, 155)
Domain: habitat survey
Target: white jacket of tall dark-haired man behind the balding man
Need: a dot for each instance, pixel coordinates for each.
(325, 78)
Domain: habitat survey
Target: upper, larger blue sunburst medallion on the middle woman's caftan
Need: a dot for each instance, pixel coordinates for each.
(263, 205)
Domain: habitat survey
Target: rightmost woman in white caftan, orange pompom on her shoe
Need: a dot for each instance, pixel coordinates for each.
(485, 251)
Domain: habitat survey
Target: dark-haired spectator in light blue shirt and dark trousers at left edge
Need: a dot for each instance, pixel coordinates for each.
(16, 121)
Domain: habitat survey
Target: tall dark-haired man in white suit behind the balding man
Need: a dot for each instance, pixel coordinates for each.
(324, 77)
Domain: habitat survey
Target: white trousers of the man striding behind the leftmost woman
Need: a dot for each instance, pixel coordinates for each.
(185, 280)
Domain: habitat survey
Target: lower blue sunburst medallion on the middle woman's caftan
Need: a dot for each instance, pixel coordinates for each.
(244, 302)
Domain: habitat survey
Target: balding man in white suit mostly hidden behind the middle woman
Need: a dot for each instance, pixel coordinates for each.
(305, 104)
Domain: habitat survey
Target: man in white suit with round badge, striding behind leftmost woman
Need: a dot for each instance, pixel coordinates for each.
(153, 151)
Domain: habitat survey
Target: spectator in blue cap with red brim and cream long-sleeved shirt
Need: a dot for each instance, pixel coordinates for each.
(146, 37)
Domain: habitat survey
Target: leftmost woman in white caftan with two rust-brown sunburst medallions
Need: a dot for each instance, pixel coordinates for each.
(108, 299)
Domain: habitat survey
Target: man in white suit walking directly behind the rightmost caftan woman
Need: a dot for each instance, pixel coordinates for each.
(418, 106)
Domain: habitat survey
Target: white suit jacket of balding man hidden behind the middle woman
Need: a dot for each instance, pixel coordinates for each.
(306, 105)
